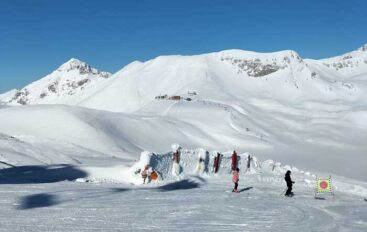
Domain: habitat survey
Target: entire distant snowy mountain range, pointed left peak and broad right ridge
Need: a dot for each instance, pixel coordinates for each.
(220, 75)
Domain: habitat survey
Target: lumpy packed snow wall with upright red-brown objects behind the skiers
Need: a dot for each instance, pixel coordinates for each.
(201, 162)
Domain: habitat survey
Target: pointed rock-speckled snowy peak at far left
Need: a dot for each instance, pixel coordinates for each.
(72, 77)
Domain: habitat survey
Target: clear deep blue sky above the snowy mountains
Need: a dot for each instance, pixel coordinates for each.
(37, 36)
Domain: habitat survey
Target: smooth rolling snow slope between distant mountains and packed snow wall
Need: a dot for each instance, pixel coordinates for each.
(333, 135)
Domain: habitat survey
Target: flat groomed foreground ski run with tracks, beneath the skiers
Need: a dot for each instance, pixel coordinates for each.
(191, 205)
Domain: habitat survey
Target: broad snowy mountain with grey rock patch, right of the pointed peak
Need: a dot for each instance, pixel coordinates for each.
(232, 75)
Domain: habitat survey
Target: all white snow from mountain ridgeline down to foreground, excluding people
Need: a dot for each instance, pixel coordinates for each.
(78, 150)
